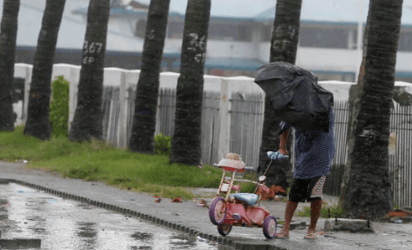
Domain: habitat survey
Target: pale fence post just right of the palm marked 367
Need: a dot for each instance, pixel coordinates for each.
(122, 129)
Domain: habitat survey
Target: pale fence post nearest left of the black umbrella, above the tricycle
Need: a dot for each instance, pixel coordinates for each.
(224, 107)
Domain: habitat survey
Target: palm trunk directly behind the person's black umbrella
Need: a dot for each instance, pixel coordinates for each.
(284, 44)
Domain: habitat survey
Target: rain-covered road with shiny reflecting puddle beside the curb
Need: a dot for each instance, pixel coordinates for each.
(65, 224)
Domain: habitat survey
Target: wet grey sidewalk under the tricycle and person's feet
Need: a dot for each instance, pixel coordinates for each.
(189, 218)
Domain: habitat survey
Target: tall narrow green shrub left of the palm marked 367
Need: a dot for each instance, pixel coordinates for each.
(59, 107)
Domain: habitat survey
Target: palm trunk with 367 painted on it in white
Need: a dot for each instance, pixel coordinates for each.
(87, 121)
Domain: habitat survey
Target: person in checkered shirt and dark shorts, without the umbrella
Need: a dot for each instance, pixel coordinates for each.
(314, 152)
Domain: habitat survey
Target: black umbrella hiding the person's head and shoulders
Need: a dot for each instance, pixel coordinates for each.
(296, 96)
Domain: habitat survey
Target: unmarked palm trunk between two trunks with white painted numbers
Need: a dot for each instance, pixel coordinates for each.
(144, 119)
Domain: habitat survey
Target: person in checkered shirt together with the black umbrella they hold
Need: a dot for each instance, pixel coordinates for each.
(300, 102)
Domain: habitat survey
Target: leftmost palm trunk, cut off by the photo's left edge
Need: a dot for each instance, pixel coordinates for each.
(7, 52)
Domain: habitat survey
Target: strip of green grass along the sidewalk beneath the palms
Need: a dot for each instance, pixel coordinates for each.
(96, 161)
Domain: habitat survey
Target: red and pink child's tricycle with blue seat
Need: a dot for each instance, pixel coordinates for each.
(240, 209)
